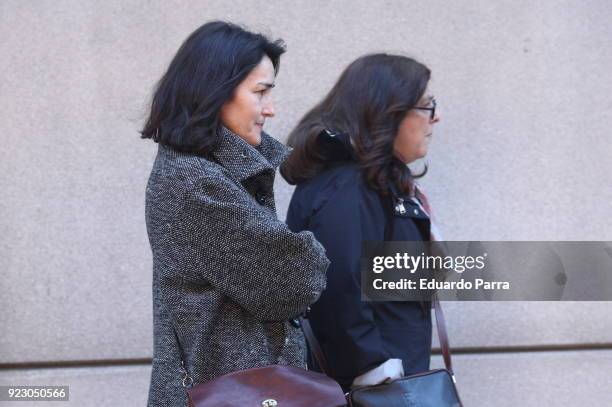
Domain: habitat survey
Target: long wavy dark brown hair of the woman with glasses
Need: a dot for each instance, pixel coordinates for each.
(367, 104)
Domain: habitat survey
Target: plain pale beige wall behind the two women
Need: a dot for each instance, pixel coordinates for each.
(522, 153)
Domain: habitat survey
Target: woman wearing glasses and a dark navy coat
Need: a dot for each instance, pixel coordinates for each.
(349, 161)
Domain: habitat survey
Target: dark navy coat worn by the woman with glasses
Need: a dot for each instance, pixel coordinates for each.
(356, 336)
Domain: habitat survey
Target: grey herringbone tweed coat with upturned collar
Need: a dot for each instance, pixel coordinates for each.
(227, 274)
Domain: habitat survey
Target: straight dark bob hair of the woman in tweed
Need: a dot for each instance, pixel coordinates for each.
(202, 76)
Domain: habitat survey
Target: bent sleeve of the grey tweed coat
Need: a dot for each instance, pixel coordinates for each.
(226, 239)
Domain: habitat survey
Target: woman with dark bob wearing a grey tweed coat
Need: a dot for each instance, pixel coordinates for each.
(229, 278)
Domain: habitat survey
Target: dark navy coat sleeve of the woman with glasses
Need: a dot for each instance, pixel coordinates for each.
(344, 323)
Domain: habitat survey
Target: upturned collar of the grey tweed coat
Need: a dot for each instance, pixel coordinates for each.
(243, 160)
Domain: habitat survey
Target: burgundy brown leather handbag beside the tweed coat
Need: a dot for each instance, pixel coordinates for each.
(270, 386)
